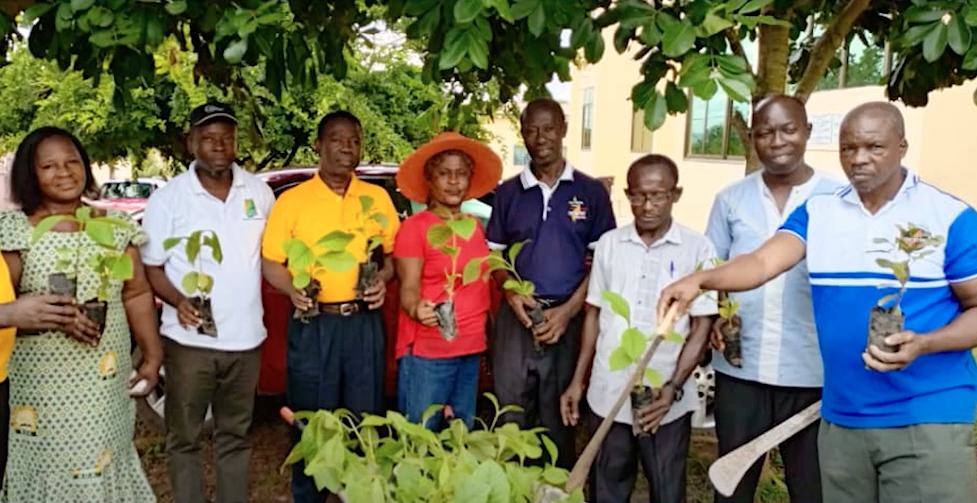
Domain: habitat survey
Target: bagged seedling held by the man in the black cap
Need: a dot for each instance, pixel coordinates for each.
(197, 284)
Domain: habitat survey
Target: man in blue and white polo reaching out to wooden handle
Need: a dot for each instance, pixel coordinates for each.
(897, 426)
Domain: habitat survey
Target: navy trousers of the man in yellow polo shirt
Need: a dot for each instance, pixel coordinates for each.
(333, 361)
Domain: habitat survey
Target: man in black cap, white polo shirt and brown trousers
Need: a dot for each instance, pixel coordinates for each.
(203, 370)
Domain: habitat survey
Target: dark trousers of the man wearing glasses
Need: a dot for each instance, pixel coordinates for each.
(662, 457)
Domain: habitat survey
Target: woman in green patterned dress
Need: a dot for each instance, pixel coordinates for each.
(72, 419)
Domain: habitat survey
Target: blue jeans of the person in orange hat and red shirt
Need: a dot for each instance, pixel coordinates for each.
(428, 381)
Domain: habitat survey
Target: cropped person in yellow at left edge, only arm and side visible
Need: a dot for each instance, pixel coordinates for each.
(35, 312)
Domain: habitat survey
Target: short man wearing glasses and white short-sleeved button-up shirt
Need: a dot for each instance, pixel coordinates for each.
(635, 261)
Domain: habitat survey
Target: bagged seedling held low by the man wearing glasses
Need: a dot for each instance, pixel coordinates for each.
(630, 351)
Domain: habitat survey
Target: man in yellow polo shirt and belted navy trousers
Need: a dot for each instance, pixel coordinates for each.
(336, 359)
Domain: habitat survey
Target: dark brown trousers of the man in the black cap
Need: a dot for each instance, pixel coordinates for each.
(198, 378)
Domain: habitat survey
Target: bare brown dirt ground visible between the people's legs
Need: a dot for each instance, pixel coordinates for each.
(269, 436)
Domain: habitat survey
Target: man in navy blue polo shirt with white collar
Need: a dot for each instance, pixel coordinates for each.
(559, 213)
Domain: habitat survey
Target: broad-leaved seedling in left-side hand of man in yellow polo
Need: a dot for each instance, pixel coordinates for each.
(305, 264)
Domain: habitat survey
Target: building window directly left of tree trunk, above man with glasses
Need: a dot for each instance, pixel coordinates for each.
(711, 133)
